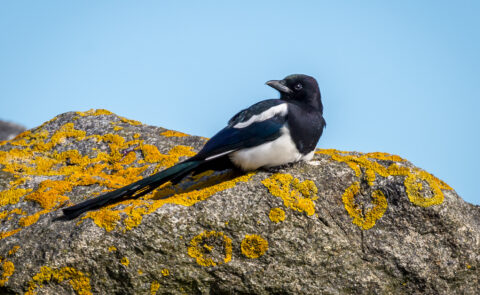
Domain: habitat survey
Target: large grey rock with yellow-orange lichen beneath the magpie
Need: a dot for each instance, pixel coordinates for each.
(344, 223)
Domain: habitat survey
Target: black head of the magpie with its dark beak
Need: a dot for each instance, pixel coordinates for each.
(300, 88)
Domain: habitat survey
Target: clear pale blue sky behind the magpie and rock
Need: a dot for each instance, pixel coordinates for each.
(396, 76)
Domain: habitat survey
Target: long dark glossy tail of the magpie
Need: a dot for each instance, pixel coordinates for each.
(136, 189)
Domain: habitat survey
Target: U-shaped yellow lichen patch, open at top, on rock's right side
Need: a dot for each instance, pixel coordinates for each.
(364, 219)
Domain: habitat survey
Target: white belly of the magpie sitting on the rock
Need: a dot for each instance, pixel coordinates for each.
(274, 153)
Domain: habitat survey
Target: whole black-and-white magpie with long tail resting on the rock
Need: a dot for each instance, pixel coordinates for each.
(270, 133)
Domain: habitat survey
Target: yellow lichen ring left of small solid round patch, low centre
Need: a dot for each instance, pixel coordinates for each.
(211, 248)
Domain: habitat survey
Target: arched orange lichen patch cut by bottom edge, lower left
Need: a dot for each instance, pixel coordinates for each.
(77, 279)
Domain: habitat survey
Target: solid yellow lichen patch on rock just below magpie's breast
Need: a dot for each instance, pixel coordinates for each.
(296, 195)
